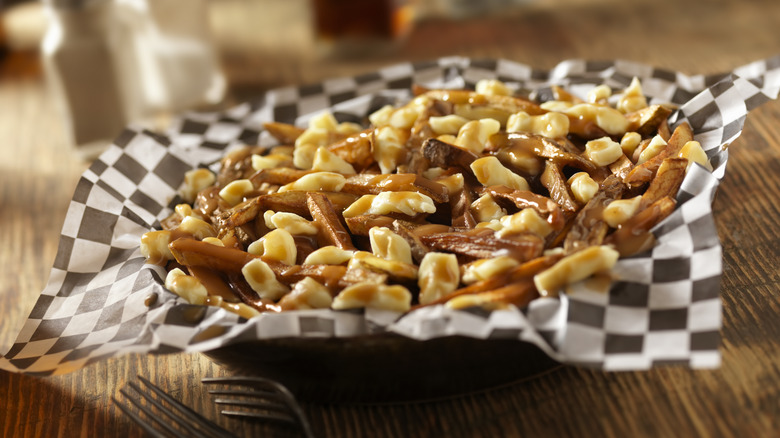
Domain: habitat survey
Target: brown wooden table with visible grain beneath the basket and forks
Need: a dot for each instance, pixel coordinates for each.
(38, 173)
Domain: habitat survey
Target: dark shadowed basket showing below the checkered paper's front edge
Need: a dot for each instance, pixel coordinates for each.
(384, 368)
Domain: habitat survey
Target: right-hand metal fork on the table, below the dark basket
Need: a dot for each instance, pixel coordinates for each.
(260, 398)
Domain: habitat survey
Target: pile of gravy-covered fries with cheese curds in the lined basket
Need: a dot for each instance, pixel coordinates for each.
(459, 197)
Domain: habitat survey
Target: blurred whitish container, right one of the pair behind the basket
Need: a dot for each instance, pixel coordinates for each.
(164, 57)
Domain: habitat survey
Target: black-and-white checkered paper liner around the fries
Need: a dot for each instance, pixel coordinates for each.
(663, 307)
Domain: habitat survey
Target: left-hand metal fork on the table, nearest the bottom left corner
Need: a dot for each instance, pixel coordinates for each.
(161, 415)
